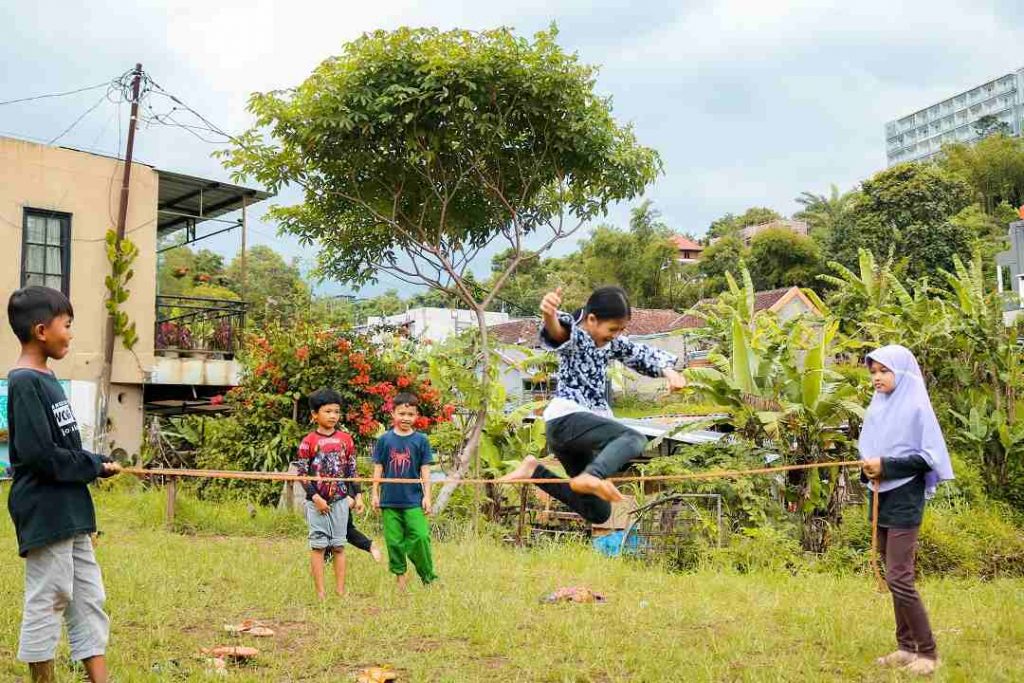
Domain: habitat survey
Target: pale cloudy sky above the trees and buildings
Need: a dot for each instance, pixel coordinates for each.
(750, 103)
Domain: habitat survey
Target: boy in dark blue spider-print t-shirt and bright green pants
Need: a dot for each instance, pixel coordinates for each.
(404, 453)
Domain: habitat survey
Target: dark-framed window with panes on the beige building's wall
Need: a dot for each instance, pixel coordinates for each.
(47, 249)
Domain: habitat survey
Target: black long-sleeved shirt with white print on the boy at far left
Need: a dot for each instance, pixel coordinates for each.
(50, 500)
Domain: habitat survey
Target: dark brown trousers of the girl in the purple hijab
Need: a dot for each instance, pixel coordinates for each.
(914, 633)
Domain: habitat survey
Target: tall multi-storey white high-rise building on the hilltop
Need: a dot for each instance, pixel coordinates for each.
(922, 135)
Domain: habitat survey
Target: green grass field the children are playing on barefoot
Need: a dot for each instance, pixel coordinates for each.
(170, 594)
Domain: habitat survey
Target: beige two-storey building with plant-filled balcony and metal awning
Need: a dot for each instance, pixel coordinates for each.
(56, 208)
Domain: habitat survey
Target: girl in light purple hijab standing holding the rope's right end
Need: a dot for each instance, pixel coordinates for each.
(906, 457)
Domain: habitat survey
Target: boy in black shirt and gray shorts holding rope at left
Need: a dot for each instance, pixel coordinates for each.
(50, 499)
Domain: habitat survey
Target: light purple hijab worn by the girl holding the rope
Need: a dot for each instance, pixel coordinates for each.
(904, 423)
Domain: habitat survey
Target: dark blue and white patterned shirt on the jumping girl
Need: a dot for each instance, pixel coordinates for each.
(583, 368)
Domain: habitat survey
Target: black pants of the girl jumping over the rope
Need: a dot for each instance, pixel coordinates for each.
(588, 443)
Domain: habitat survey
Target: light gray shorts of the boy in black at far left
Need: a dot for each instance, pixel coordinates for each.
(63, 583)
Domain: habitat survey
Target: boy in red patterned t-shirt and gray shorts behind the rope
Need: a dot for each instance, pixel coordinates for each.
(329, 453)
